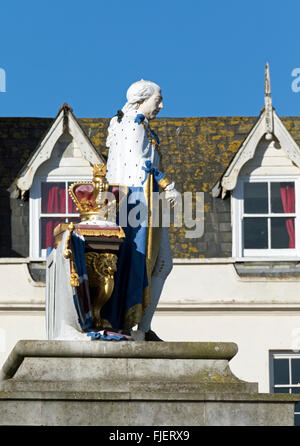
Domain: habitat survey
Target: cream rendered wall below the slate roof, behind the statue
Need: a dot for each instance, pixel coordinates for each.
(200, 302)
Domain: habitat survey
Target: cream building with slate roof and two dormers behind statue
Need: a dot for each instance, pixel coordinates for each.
(237, 281)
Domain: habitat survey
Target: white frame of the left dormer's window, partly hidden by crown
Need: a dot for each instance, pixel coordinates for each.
(35, 251)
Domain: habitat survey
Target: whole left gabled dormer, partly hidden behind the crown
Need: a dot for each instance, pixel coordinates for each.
(64, 156)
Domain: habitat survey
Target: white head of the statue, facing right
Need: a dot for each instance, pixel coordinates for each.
(145, 96)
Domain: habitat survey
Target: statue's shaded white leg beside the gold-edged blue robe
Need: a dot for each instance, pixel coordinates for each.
(162, 269)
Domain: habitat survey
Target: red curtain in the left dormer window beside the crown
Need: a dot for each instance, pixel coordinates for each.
(55, 203)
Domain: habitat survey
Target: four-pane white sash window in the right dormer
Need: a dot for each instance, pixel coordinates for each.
(266, 221)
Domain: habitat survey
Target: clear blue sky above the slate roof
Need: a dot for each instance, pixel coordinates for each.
(208, 57)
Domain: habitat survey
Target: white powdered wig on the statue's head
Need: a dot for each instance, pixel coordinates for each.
(137, 93)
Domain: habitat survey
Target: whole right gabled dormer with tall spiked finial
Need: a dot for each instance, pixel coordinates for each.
(264, 178)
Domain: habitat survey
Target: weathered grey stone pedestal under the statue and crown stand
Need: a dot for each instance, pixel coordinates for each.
(97, 383)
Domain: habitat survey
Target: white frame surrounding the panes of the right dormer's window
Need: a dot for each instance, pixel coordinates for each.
(238, 251)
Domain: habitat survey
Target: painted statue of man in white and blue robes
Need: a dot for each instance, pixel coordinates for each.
(144, 261)
